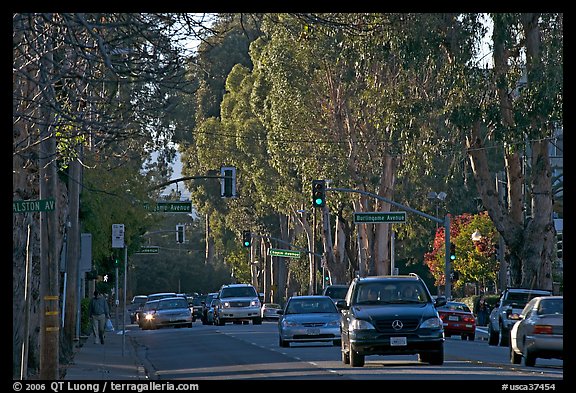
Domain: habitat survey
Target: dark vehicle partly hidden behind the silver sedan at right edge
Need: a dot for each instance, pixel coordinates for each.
(506, 313)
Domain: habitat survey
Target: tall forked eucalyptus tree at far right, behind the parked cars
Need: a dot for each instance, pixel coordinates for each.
(517, 105)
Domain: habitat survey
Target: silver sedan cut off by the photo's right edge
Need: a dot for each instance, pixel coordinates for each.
(540, 331)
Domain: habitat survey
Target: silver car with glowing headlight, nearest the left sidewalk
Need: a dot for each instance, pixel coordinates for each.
(170, 311)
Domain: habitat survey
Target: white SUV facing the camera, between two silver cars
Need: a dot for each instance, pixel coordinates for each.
(238, 303)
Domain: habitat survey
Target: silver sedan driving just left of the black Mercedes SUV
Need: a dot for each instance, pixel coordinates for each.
(311, 318)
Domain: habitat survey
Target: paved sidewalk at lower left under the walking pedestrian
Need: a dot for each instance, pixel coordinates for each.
(114, 360)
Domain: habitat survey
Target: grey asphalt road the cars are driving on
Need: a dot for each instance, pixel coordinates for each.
(248, 352)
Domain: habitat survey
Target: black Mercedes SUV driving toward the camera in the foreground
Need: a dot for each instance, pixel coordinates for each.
(391, 315)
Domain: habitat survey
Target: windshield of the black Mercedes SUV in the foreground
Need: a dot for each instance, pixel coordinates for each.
(382, 293)
